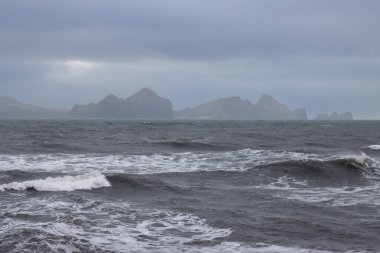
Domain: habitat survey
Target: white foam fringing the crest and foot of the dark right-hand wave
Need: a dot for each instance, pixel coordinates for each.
(294, 189)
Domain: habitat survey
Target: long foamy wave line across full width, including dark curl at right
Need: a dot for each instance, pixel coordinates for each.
(296, 163)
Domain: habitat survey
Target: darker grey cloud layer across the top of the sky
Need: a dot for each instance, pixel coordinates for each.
(121, 30)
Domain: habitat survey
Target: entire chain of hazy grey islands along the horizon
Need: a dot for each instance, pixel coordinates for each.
(148, 104)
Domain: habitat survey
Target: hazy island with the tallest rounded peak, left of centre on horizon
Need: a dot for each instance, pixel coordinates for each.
(143, 104)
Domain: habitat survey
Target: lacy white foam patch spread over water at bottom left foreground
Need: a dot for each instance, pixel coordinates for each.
(103, 226)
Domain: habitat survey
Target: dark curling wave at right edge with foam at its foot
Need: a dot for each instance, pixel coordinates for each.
(347, 180)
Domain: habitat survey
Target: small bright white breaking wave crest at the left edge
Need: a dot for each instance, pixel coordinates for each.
(65, 183)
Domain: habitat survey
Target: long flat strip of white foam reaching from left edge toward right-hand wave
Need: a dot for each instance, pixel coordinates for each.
(240, 160)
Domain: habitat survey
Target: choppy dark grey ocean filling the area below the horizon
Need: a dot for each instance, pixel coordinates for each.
(189, 186)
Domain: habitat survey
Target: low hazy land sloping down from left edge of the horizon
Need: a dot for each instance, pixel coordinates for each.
(11, 108)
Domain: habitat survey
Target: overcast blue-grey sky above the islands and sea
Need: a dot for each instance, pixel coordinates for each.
(322, 55)
